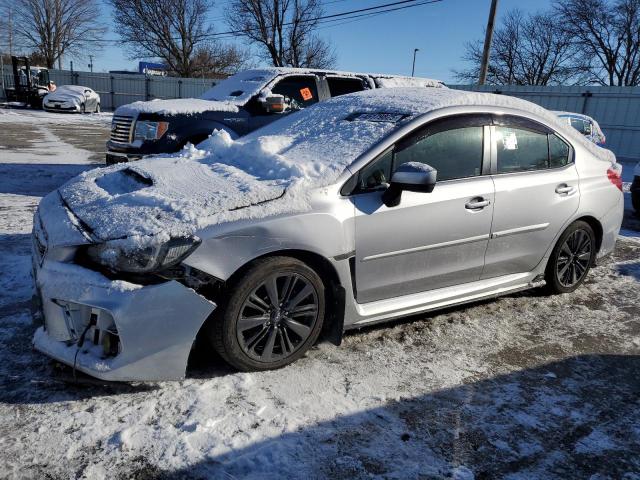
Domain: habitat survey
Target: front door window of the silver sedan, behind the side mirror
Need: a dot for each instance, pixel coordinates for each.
(454, 153)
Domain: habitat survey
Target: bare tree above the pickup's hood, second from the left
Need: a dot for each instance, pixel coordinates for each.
(176, 32)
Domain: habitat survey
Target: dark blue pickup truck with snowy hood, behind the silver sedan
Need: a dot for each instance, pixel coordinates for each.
(240, 104)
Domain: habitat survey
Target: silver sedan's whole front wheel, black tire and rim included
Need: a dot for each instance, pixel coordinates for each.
(234, 341)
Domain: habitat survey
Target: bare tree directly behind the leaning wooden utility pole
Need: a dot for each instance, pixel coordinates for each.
(526, 50)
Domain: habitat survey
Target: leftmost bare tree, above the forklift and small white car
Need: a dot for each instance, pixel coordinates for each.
(54, 28)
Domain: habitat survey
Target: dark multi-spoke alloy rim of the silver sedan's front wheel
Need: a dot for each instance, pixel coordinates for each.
(277, 317)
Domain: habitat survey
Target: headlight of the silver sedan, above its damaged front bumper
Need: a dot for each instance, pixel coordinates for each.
(127, 256)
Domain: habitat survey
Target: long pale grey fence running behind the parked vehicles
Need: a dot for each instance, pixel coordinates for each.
(617, 109)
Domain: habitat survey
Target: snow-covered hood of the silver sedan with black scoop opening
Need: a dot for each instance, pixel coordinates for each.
(160, 195)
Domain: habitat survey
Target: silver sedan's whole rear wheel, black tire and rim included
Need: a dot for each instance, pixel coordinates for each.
(571, 258)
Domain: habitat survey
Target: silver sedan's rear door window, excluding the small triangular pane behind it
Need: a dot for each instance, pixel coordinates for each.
(520, 150)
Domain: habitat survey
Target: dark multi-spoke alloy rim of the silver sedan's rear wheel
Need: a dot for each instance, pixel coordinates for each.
(574, 258)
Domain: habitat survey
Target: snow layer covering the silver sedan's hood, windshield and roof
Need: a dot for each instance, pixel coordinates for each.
(271, 171)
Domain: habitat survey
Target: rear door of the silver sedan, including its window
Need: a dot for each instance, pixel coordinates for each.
(536, 193)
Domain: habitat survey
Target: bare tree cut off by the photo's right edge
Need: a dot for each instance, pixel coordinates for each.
(606, 36)
